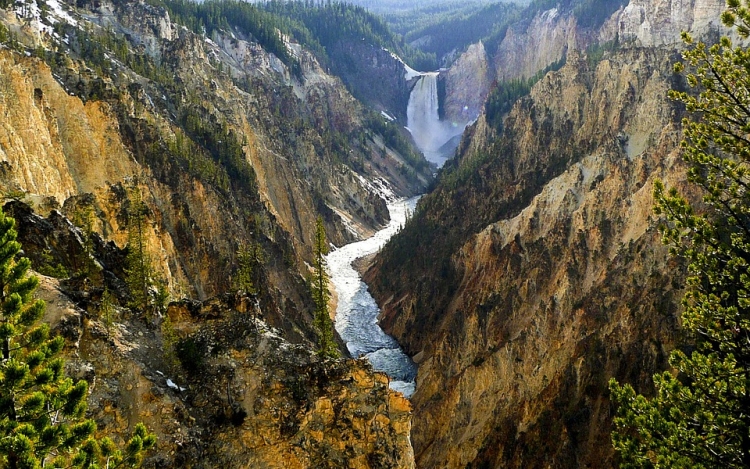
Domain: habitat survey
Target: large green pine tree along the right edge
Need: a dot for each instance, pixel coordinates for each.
(700, 414)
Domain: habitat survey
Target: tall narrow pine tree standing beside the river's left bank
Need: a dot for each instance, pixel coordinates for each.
(321, 296)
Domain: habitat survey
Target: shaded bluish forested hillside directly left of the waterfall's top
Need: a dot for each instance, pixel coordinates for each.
(347, 41)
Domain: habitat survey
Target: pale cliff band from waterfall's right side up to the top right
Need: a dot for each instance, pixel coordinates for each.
(538, 38)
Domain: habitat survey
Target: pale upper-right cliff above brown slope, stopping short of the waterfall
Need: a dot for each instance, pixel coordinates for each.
(546, 31)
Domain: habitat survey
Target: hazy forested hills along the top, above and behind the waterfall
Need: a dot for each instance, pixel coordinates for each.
(425, 36)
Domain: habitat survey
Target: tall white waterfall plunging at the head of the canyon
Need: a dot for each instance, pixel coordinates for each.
(436, 139)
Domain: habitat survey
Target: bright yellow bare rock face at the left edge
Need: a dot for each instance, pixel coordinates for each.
(52, 143)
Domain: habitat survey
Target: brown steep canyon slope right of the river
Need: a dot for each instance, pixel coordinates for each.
(534, 272)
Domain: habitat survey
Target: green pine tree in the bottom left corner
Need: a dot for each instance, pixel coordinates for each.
(41, 409)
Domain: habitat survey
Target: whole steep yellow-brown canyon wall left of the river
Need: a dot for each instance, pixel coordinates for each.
(104, 103)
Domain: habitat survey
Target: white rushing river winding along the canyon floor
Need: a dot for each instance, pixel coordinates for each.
(357, 313)
